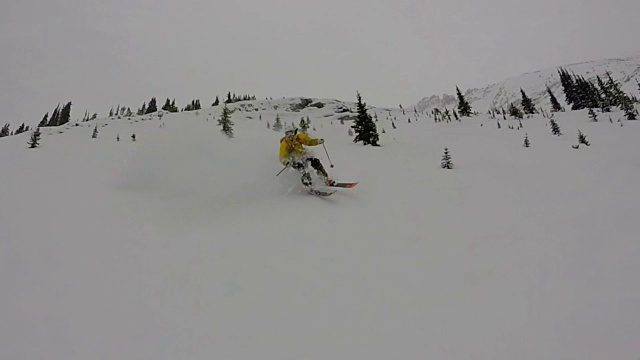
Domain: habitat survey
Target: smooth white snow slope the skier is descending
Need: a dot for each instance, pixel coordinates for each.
(184, 244)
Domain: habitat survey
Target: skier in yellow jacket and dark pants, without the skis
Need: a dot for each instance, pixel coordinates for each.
(292, 153)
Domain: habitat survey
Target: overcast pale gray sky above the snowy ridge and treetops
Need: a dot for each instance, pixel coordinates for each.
(102, 53)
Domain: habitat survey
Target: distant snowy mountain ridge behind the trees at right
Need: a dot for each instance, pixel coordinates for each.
(626, 71)
